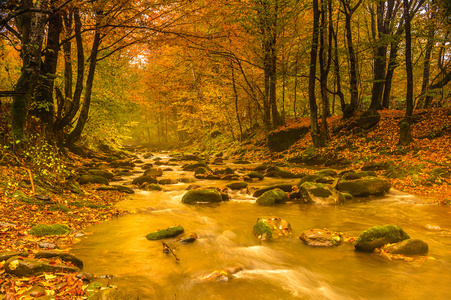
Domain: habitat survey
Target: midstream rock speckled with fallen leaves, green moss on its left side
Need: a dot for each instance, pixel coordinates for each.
(271, 228)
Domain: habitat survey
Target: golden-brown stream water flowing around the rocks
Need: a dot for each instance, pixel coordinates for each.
(281, 269)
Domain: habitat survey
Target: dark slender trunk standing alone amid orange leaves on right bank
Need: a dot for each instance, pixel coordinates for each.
(405, 137)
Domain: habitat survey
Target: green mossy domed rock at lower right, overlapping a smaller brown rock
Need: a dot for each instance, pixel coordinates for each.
(378, 236)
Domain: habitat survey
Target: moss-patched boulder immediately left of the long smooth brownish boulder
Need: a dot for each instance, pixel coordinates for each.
(320, 193)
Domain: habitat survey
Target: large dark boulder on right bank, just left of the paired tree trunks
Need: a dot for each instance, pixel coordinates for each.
(280, 140)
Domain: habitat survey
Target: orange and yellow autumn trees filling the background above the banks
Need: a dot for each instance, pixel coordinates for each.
(112, 72)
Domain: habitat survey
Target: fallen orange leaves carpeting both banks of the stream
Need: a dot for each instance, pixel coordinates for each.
(423, 168)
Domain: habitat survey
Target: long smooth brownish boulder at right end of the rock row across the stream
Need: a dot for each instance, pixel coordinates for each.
(365, 186)
